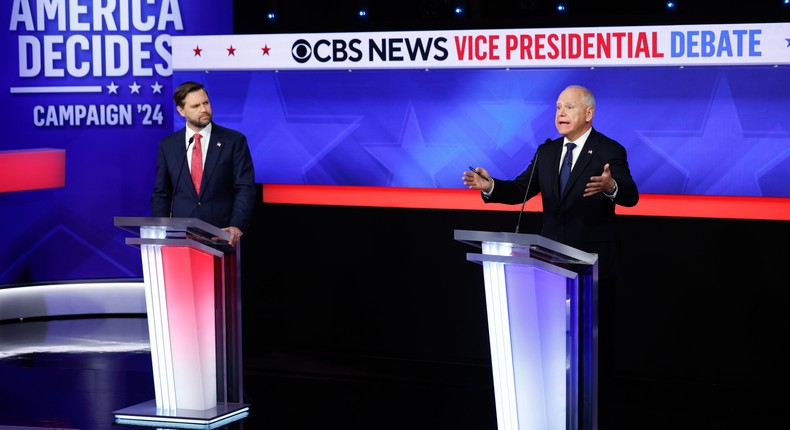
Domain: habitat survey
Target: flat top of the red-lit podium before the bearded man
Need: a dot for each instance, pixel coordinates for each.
(177, 228)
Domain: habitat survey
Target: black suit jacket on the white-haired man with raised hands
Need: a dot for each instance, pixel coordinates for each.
(586, 223)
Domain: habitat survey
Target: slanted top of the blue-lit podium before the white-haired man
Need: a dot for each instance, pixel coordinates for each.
(530, 245)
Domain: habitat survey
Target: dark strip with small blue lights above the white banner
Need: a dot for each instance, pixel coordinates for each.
(306, 16)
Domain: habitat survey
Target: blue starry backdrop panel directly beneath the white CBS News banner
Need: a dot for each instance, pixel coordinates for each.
(695, 130)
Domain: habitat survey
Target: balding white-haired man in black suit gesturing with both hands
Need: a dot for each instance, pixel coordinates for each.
(581, 215)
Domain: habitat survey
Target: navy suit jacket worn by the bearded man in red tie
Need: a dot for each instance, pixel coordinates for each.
(227, 195)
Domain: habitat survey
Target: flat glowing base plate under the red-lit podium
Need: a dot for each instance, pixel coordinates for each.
(147, 414)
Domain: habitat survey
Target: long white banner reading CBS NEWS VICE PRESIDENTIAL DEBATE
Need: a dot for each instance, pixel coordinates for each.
(687, 45)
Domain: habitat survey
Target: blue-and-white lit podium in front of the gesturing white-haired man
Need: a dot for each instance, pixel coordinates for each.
(541, 304)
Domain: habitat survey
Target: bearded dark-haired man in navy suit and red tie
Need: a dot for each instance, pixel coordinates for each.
(222, 192)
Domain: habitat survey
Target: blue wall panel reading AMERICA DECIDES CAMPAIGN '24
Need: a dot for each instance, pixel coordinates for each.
(60, 63)
